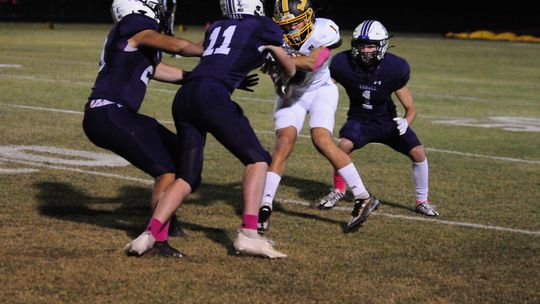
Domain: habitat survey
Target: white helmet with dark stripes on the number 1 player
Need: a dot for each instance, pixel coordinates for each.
(369, 32)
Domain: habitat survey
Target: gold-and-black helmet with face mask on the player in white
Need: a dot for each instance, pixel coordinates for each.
(296, 19)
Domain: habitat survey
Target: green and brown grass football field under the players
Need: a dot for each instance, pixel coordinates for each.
(65, 214)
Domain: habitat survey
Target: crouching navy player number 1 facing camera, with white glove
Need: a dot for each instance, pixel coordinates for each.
(370, 75)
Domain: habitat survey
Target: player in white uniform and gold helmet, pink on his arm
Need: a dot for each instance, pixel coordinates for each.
(315, 94)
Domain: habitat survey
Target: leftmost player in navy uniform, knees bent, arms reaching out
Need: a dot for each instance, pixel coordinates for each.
(131, 56)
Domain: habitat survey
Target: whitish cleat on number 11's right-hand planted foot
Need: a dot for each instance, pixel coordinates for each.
(253, 244)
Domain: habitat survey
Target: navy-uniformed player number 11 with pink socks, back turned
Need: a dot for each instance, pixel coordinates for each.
(233, 47)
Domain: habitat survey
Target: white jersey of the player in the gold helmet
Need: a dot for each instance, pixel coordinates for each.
(325, 33)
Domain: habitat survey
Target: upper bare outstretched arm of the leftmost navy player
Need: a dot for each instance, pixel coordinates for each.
(170, 44)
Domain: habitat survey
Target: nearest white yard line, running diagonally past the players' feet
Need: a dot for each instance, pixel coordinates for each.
(292, 202)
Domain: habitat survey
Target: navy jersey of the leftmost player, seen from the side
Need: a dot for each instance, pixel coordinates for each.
(125, 71)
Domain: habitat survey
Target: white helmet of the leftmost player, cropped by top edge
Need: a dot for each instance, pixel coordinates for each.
(150, 8)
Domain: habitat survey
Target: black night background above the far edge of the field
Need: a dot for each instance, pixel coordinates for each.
(346, 13)
